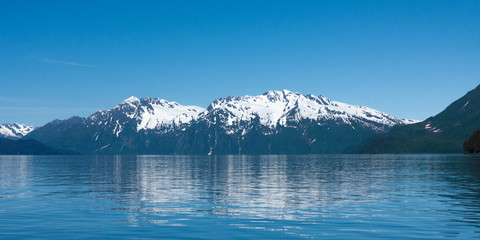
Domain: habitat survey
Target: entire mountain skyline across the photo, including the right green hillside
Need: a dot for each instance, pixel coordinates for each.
(276, 122)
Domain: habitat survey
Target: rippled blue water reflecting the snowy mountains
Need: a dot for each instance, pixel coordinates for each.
(239, 197)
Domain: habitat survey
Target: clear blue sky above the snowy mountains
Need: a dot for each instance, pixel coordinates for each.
(64, 58)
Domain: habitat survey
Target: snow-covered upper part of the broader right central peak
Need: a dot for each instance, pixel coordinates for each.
(286, 108)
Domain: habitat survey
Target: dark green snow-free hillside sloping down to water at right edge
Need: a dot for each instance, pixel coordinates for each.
(443, 133)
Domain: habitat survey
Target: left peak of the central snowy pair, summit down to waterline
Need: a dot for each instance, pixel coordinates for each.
(128, 127)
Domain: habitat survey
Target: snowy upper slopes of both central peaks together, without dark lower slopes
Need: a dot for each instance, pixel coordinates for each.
(271, 109)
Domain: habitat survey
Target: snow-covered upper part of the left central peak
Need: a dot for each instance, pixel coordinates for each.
(146, 114)
